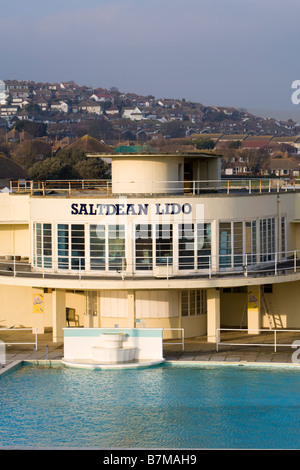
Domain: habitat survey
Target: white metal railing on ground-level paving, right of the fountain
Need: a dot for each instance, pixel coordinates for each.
(273, 332)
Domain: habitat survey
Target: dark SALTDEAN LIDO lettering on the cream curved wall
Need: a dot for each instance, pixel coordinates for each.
(127, 209)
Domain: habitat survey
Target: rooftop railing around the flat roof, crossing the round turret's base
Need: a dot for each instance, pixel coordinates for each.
(184, 187)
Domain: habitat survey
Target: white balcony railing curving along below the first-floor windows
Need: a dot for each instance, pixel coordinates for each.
(204, 267)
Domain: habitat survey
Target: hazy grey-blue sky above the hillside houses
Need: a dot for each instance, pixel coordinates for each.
(240, 53)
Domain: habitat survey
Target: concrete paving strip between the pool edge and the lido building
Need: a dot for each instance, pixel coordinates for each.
(195, 349)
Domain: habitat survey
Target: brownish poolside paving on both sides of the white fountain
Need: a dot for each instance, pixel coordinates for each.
(195, 350)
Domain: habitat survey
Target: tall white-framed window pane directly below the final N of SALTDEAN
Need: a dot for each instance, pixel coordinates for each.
(143, 247)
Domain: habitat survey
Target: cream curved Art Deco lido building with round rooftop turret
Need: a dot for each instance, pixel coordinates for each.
(164, 244)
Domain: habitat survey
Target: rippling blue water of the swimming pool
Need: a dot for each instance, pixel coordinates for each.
(162, 407)
